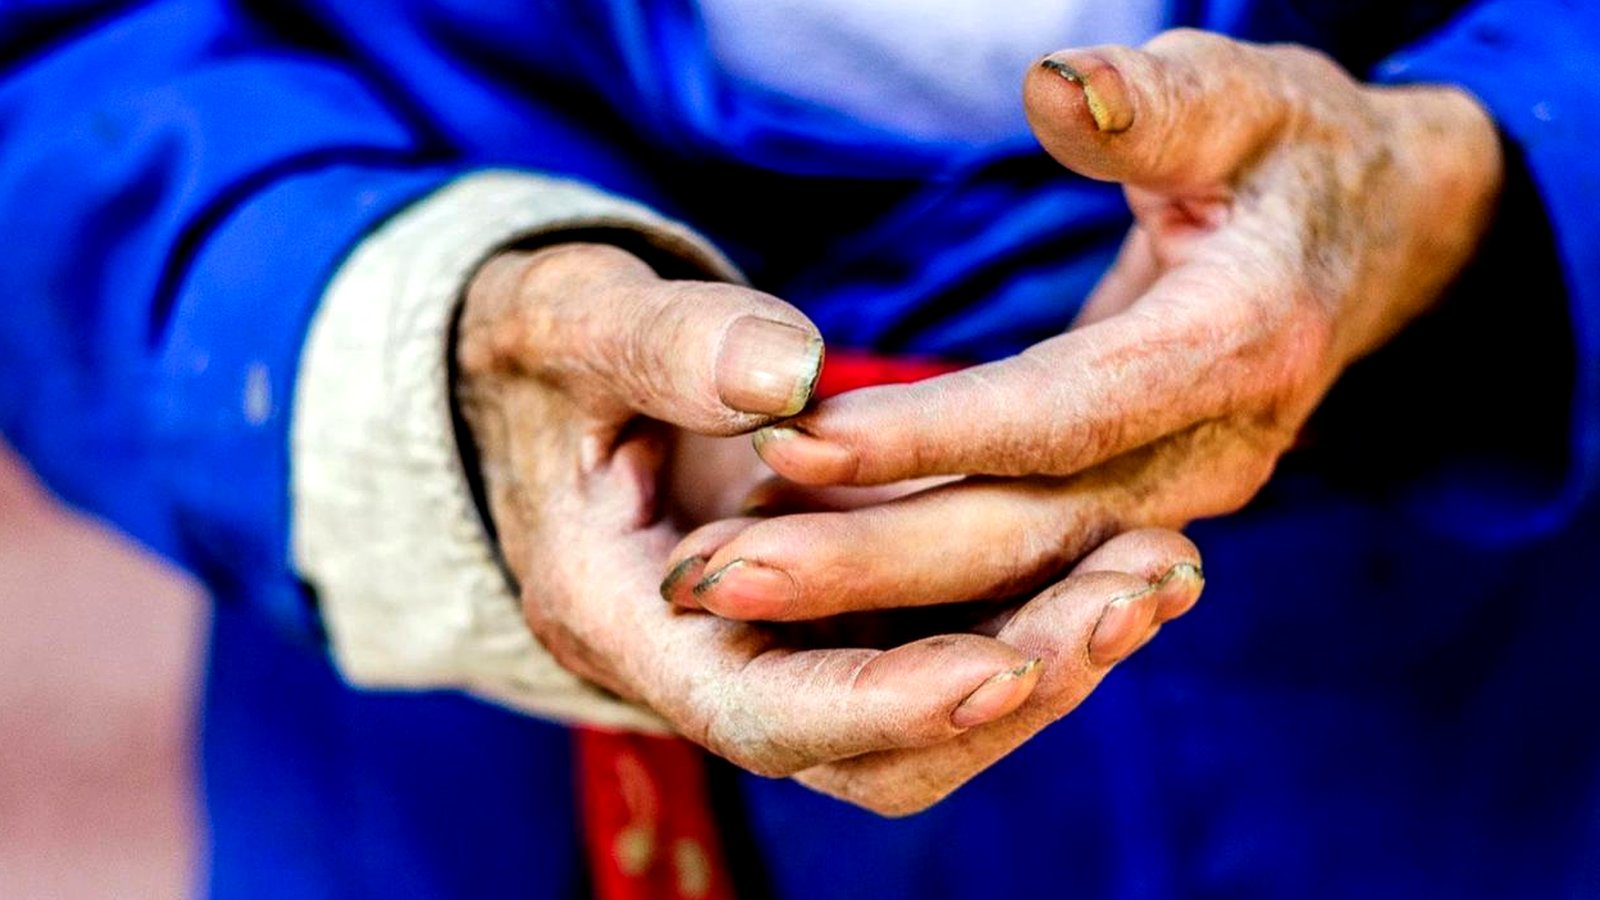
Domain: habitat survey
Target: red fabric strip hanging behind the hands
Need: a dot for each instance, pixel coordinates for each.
(647, 819)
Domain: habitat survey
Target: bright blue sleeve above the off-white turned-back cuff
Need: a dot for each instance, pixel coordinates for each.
(175, 195)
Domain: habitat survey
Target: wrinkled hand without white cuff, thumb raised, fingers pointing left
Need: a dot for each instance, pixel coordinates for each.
(1289, 222)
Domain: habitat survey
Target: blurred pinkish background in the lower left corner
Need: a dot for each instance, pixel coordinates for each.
(100, 656)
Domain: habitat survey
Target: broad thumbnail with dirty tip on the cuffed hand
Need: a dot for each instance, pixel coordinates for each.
(769, 368)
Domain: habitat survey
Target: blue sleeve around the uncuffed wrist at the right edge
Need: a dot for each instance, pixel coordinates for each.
(1535, 292)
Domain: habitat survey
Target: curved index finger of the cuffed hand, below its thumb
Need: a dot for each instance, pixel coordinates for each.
(767, 707)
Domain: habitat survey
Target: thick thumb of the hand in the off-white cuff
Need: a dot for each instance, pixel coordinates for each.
(711, 358)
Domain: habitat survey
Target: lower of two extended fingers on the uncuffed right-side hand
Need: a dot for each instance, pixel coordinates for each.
(974, 540)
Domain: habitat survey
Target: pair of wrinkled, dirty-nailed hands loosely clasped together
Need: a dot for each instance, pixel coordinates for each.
(1289, 222)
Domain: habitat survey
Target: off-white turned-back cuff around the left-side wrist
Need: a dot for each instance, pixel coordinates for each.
(385, 528)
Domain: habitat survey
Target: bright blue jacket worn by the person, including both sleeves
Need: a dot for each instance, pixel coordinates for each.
(1391, 686)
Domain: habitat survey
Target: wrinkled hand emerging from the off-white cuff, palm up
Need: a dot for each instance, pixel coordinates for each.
(575, 361)
